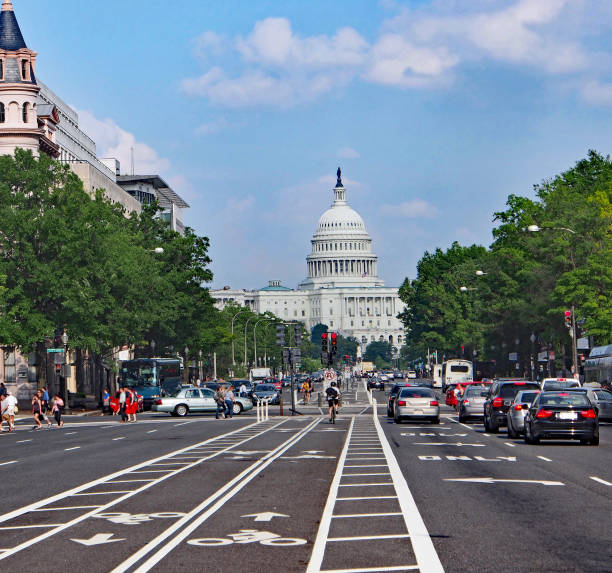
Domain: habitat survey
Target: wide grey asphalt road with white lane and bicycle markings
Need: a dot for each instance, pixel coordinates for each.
(299, 494)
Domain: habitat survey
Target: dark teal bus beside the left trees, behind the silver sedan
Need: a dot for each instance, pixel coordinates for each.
(152, 378)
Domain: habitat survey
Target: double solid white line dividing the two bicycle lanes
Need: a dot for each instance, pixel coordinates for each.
(218, 499)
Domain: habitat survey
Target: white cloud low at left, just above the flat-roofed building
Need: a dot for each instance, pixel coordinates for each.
(112, 141)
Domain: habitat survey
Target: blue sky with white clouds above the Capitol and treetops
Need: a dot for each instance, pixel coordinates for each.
(436, 111)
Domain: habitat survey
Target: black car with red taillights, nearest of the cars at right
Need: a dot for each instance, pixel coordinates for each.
(562, 415)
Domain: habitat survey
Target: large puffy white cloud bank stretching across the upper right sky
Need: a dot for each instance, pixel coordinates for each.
(274, 65)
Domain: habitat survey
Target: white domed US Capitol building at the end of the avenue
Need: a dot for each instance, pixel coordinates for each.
(342, 289)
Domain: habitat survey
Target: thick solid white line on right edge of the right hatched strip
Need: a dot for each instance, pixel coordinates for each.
(423, 546)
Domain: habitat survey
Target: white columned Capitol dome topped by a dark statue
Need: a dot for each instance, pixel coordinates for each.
(341, 248)
